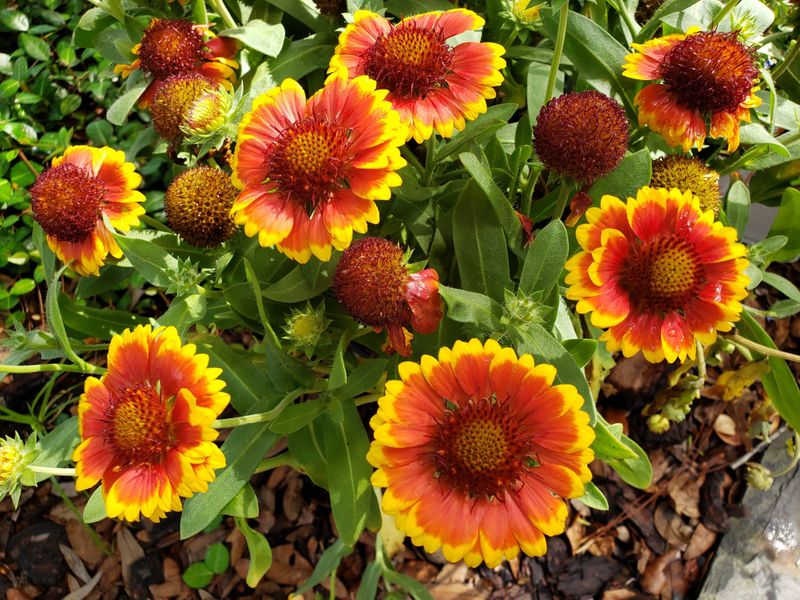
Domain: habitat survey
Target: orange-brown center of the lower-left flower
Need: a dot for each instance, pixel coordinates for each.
(138, 430)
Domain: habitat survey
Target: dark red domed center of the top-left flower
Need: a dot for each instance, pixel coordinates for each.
(170, 47)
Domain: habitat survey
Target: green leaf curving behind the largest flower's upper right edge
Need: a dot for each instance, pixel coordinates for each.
(539, 342)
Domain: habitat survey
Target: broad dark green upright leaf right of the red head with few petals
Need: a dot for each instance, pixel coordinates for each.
(480, 245)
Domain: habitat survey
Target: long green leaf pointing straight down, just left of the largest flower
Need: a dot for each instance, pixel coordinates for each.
(346, 445)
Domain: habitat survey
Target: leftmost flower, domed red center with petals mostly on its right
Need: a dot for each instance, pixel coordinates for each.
(70, 200)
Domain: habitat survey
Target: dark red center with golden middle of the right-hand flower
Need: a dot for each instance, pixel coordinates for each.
(663, 275)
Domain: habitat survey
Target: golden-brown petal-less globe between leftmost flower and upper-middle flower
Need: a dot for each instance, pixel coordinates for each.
(198, 205)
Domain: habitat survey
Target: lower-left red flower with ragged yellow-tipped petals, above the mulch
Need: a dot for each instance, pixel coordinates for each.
(145, 426)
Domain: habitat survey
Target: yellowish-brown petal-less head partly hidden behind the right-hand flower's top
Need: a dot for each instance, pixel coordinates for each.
(687, 173)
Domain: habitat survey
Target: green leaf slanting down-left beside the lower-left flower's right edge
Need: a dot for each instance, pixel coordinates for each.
(243, 450)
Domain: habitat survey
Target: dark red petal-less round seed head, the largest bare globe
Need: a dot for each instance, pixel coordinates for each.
(583, 135)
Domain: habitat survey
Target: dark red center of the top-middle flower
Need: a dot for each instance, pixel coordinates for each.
(409, 61)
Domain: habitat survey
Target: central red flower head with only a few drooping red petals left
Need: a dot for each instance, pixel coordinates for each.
(373, 283)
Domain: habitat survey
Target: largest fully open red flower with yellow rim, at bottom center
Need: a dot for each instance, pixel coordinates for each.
(477, 450)
